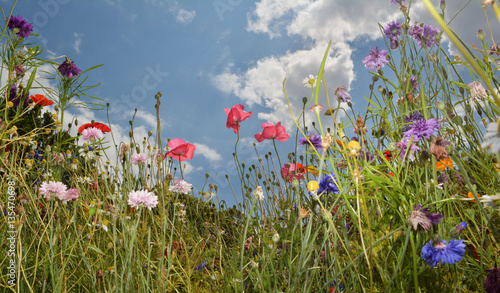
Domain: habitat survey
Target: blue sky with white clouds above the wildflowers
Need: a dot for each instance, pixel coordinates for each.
(208, 55)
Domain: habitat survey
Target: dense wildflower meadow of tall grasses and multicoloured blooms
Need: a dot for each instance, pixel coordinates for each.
(409, 203)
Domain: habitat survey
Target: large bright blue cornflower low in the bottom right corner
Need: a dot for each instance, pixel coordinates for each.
(451, 252)
